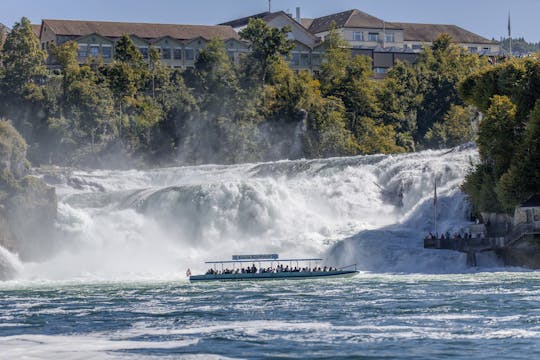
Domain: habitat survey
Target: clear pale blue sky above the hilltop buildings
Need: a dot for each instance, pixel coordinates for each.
(488, 18)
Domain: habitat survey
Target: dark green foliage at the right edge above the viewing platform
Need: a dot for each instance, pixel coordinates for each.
(508, 135)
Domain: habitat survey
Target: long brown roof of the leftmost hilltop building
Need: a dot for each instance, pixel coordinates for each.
(142, 30)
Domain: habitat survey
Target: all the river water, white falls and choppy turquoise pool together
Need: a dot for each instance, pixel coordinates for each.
(111, 283)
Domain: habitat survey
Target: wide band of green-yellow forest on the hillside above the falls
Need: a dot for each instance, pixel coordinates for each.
(138, 111)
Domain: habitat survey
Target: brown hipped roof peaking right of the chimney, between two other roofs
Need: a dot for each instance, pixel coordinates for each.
(349, 19)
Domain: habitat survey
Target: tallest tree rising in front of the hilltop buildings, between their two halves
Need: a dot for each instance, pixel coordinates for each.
(267, 44)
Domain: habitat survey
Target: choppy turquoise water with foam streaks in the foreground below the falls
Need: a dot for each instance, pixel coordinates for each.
(493, 315)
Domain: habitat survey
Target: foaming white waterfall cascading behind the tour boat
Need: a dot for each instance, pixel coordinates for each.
(156, 223)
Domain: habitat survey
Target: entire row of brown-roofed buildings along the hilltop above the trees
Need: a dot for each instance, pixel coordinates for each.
(179, 45)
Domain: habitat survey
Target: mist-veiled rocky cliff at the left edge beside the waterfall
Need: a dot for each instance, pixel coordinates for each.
(27, 204)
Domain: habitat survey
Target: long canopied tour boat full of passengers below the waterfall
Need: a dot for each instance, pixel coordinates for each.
(269, 267)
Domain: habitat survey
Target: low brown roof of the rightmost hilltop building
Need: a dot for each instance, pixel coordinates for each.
(430, 32)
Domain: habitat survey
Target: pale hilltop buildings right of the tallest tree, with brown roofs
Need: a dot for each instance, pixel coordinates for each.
(385, 42)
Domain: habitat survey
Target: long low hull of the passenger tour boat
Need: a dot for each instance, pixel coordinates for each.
(274, 276)
